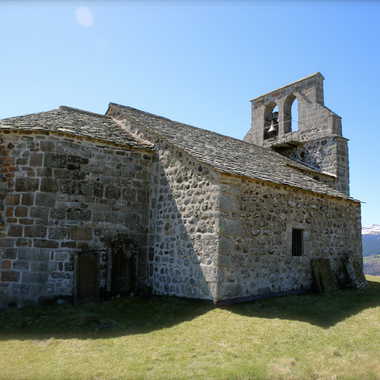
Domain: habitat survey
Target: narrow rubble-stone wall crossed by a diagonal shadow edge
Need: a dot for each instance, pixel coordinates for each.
(184, 226)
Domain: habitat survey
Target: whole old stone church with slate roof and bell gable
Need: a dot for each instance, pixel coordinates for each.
(96, 205)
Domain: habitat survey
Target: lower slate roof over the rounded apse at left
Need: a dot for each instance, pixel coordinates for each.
(77, 122)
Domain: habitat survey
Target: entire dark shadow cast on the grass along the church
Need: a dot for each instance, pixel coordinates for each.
(136, 315)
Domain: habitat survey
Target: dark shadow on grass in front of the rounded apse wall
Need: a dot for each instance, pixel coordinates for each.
(118, 317)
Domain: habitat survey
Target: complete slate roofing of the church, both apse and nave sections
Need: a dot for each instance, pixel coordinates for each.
(226, 154)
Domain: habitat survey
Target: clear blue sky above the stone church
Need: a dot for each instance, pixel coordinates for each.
(199, 63)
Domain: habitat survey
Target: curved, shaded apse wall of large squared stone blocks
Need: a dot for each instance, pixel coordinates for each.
(59, 196)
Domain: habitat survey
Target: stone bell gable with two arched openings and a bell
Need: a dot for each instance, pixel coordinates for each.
(294, 121)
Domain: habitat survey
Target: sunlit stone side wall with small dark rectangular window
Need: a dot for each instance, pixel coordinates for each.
(255, 256)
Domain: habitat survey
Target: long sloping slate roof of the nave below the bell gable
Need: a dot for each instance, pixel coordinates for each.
(226, 154)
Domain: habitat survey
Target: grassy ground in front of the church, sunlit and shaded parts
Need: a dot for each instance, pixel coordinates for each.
(335, 336)
